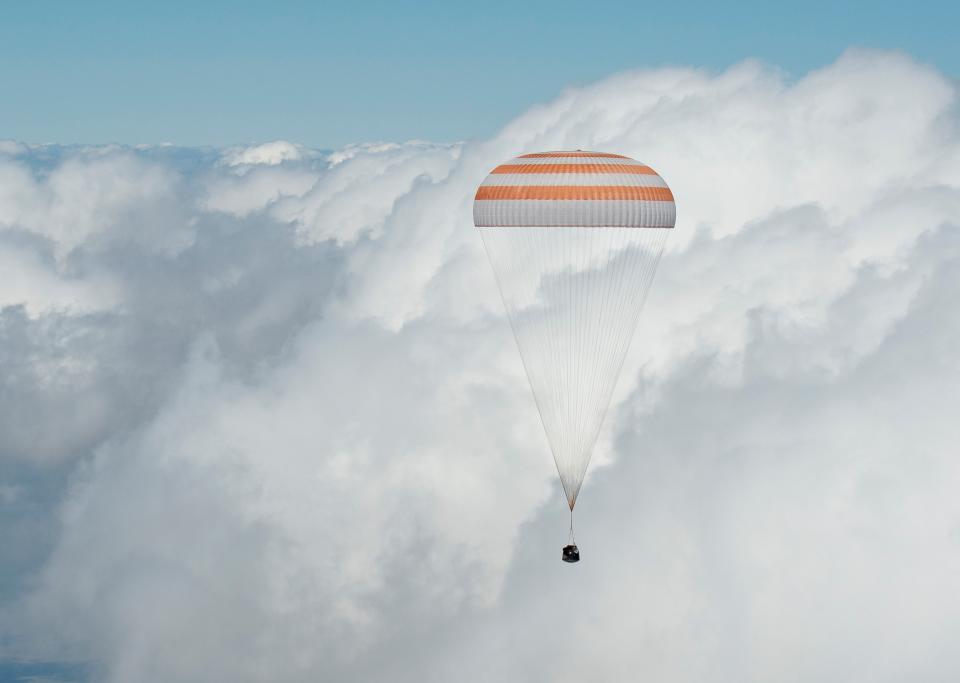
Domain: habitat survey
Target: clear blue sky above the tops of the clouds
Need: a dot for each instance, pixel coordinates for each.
(326, 74)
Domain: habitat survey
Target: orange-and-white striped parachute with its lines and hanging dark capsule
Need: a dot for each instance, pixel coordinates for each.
(574, 239)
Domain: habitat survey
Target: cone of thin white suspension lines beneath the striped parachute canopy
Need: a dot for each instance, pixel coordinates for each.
(573, 296)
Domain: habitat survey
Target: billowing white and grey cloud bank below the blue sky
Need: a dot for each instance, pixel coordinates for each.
(293, 438)
